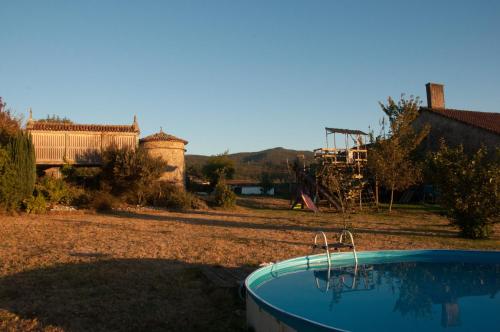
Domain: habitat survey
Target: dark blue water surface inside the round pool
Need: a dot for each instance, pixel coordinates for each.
(408, 295)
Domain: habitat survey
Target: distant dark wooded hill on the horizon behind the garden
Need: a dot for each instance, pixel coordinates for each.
(249, 165)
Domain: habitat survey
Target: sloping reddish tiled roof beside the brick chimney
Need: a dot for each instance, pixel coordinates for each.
(484, 120)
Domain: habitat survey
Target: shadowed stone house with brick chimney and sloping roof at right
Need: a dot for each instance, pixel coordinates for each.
(469, 128)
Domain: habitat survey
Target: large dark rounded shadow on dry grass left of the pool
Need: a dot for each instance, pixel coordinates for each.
(123, 295)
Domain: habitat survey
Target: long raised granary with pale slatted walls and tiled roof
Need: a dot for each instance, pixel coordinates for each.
(59, 142)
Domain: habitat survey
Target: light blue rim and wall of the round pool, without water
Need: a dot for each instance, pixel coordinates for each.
(265, 317)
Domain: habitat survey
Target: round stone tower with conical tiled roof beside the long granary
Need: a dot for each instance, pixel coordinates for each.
(171, 149)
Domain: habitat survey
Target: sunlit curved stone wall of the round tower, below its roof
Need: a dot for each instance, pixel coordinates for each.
(173, 153)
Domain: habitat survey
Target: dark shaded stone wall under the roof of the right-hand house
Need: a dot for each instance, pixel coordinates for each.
(455, 133)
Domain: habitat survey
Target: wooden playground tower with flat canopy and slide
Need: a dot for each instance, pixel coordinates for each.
(338, 177)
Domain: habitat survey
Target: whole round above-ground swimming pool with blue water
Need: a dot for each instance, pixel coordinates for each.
(416, 290)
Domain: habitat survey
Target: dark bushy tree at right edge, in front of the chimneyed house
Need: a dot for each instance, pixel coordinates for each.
(469, 188)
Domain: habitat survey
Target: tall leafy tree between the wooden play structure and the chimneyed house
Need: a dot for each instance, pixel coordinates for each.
(391, 156)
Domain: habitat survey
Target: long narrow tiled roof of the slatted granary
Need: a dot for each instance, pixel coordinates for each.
(59, 126)
